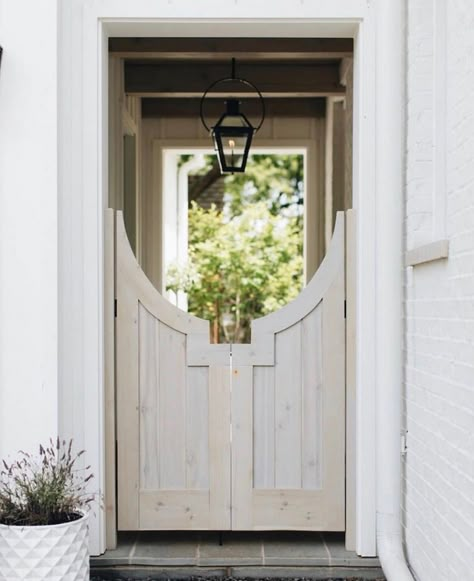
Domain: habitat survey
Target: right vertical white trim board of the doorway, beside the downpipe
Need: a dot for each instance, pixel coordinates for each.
(364, 196)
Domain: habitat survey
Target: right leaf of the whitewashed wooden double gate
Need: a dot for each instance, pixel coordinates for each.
(288, 410)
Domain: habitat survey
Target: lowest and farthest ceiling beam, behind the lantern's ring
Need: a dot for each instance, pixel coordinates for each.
(305, 107)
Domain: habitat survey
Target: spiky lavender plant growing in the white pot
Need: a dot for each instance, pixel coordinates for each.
(45, 490)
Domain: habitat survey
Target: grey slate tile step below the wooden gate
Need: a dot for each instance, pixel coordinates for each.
(241, 554)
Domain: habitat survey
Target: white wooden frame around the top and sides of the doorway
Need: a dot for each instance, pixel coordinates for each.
(83, 163)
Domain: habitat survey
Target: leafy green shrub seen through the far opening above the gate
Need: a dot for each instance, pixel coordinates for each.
(240, 267)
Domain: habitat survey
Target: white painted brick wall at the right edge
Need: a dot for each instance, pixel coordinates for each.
(439, 388)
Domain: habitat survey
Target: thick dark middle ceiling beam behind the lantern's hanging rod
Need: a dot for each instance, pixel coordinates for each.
(178, 79)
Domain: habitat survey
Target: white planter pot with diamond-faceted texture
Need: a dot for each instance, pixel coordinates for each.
(49, 553)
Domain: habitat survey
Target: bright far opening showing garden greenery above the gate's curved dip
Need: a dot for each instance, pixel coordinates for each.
(233, 245)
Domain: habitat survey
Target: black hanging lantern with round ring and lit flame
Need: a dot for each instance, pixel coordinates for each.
(232, 134)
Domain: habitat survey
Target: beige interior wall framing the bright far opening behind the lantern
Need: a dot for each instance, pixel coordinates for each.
(158, 133)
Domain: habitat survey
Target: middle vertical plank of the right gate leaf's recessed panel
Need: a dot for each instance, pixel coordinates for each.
(288, 408)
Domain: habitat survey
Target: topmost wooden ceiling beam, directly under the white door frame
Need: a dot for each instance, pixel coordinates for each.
(226, 48)
